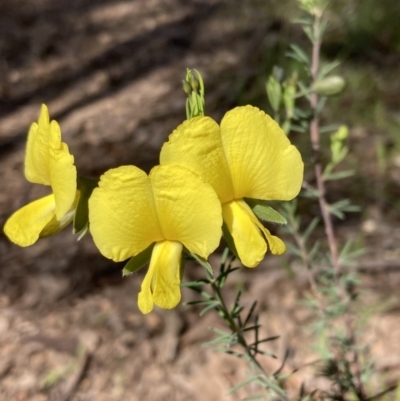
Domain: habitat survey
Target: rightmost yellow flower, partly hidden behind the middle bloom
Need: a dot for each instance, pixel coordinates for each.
(247, 156)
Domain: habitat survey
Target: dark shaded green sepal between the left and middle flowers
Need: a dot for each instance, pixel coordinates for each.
(85, 187)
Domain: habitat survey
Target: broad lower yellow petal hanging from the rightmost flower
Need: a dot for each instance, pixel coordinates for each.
(249, 242)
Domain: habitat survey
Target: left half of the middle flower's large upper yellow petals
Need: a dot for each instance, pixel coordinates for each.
(122, 215)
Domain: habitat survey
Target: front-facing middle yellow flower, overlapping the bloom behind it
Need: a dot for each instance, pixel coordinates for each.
(171, 208)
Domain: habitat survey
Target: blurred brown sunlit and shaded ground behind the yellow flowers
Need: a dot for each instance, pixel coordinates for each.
(110, 73)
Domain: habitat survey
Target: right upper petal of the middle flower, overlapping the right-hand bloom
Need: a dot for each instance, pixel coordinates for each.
(188, 209)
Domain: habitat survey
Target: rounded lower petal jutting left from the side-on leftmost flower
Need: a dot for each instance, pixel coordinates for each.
(26, 224)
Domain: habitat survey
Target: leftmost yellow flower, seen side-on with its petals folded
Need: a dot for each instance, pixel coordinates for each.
(47, 162)
